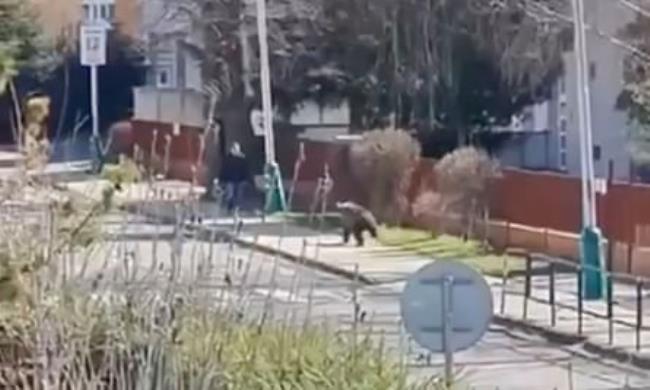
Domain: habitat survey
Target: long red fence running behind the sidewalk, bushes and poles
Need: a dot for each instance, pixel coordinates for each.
(540, 200)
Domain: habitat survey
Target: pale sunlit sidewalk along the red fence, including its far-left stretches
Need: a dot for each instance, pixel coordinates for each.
(383, 265)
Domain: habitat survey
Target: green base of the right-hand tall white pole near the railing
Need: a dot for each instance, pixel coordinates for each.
(591, 257)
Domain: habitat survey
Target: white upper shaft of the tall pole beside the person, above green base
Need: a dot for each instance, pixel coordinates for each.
(265, 74)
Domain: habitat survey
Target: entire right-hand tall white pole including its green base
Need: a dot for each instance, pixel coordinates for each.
(591, 248)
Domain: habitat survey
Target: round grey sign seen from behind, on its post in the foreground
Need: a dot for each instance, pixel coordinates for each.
(461, 302)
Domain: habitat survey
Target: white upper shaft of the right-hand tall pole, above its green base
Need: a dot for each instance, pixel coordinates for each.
(584, 117)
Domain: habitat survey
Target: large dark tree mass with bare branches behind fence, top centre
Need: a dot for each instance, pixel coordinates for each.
(463, 65)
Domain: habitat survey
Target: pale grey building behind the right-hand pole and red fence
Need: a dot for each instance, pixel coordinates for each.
(559, 148)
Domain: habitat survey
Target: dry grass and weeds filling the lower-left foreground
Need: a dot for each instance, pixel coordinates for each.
(65, 327)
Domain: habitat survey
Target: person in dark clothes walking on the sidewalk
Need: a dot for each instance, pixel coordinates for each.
(235, 174)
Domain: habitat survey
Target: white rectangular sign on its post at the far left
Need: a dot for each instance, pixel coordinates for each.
(93, 55)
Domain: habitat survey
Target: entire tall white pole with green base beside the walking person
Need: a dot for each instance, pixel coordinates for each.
(275, 199)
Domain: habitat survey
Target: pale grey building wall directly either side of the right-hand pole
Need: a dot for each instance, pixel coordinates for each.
(609, 125)
